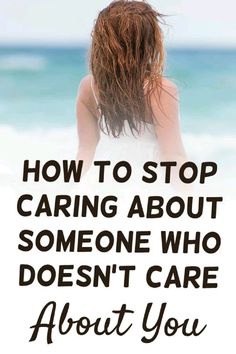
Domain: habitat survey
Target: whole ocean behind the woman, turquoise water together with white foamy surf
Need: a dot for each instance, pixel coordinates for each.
(38, 86)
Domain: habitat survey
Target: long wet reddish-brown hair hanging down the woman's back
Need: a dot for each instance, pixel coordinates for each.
(127, 49)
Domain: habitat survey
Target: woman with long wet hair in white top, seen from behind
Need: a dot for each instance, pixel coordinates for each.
(127, 98)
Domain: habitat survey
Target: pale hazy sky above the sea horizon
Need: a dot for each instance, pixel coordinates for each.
(207, 23)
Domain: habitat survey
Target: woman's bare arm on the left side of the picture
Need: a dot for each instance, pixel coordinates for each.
(87, 123)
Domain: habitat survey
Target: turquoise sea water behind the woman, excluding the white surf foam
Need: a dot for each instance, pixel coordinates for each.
(38, 87)
